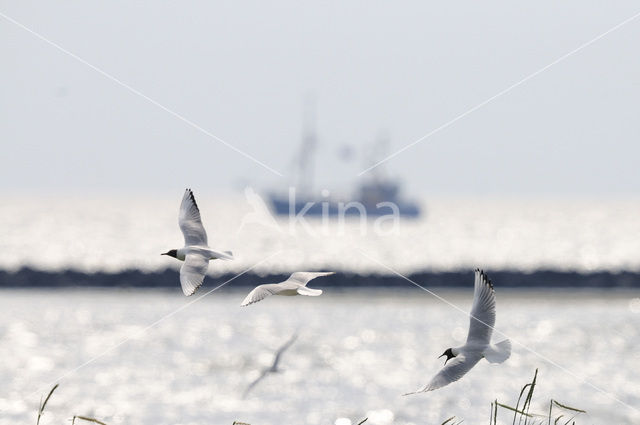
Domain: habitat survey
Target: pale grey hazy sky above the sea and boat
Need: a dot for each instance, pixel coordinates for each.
(240, 71)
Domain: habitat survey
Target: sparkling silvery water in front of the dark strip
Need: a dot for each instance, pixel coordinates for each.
(150, 357)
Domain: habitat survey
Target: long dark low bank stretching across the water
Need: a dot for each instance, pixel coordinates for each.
(31, 278)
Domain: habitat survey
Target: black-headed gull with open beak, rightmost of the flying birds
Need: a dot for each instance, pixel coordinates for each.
(478, 345)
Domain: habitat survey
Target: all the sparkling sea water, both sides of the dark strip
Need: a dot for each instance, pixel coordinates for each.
(150, 357)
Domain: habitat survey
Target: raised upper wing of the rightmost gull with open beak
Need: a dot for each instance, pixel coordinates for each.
(483, 311)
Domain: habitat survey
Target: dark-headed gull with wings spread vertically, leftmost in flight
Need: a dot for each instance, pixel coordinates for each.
(195, 253)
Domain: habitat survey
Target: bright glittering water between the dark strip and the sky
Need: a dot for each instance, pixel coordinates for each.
(112, 234)
